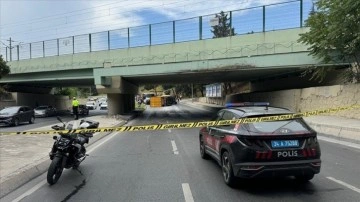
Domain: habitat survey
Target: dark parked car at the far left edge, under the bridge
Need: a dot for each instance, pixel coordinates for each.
(16, 115)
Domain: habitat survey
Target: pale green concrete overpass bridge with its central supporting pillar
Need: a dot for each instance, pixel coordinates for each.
(119, 72)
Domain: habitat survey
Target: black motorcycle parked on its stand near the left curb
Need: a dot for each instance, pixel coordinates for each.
(68, 150)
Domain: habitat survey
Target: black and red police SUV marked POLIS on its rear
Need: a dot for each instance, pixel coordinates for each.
(261, 149)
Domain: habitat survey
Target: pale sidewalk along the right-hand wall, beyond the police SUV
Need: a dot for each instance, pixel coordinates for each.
(332, 126)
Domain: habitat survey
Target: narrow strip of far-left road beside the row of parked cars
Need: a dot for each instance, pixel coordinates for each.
(45, 121)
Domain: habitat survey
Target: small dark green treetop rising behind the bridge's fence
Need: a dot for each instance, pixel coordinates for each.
(223, 29)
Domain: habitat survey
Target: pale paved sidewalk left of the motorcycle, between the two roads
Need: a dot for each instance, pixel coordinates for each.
(24, 157)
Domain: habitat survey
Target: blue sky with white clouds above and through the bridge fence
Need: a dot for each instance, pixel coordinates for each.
(28, 21)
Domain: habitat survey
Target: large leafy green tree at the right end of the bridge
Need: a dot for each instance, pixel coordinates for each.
(334, 37)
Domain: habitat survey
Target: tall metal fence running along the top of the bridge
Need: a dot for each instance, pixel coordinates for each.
(284, 15)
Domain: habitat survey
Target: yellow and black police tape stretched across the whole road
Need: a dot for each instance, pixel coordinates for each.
(189, 124)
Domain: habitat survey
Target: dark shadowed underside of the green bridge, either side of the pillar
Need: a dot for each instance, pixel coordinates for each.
(85, 78)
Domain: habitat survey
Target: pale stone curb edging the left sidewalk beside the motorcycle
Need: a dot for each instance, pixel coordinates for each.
(26, 174)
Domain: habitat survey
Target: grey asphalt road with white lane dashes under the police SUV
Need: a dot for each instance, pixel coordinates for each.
(166, 166)
